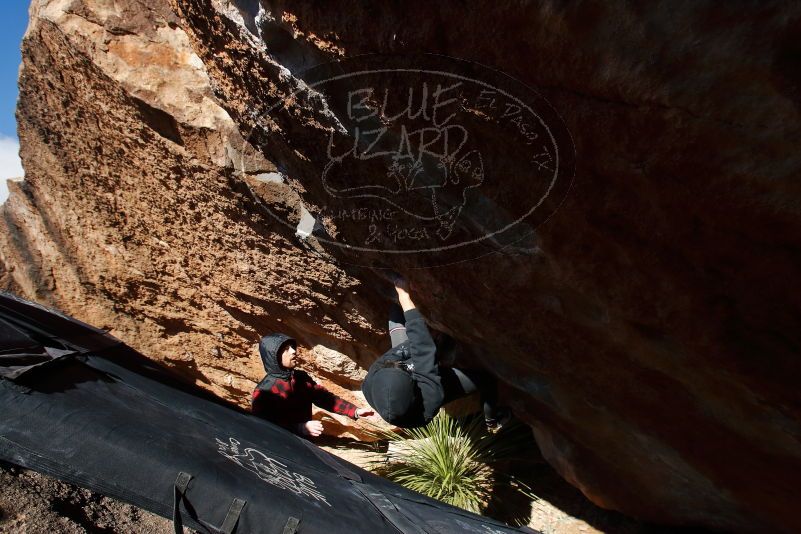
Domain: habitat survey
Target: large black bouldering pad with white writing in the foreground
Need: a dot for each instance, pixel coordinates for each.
(79, 405)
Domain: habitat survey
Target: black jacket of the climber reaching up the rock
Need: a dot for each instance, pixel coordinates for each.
(410, 395)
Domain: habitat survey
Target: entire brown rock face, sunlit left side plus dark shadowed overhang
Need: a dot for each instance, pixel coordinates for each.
(648, 328)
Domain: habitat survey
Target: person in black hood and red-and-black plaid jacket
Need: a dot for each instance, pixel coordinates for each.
(285, 395)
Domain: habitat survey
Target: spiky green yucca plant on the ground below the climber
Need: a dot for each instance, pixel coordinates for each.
(451, 460)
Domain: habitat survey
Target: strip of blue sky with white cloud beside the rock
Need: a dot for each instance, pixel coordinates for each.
(13, 21)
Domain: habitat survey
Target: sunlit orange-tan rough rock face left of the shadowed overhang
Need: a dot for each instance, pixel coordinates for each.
(131, 219)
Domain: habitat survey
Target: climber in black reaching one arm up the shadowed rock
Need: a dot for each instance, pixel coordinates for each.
(407, 387)
